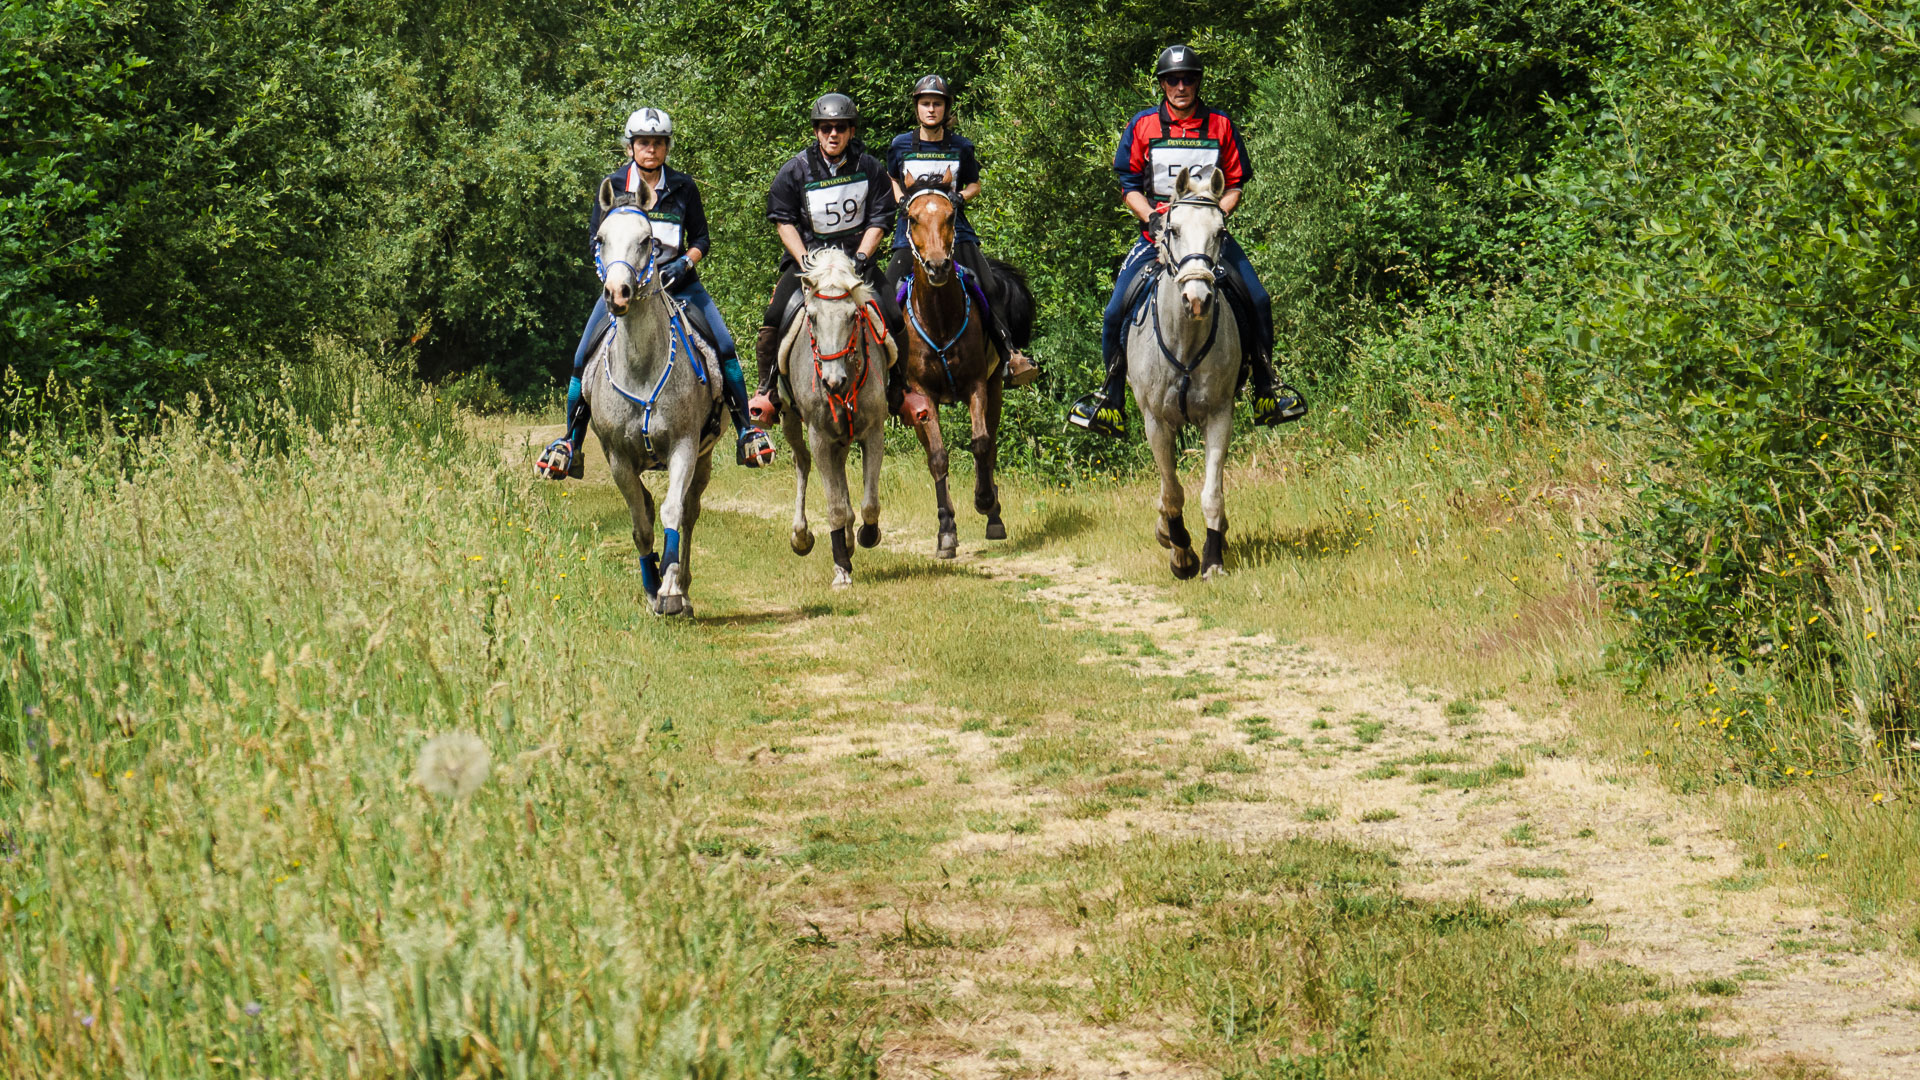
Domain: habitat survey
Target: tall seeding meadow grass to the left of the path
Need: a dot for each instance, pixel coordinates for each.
(224, 649)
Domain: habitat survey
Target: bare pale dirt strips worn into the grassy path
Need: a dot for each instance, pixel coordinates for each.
(1650, 879)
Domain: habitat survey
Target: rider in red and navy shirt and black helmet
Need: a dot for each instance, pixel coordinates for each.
(1153, 149)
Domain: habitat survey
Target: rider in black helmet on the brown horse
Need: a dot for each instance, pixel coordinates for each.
(930, 153)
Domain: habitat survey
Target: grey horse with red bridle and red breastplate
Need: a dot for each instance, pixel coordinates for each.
(836, 362)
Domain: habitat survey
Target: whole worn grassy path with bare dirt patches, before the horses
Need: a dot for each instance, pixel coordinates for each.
(1034, 795)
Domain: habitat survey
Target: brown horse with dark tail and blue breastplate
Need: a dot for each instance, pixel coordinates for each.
(949, 353)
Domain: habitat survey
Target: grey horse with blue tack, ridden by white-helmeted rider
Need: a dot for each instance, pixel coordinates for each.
(656, 399)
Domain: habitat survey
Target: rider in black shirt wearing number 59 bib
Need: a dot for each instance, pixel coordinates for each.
(830, 195)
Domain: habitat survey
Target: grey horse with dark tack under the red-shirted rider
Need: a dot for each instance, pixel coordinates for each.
(1184, 364)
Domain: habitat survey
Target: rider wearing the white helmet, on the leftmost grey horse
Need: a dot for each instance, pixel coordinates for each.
(673, 205)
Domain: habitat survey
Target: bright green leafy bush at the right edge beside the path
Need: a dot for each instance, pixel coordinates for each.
(1754, 297)
